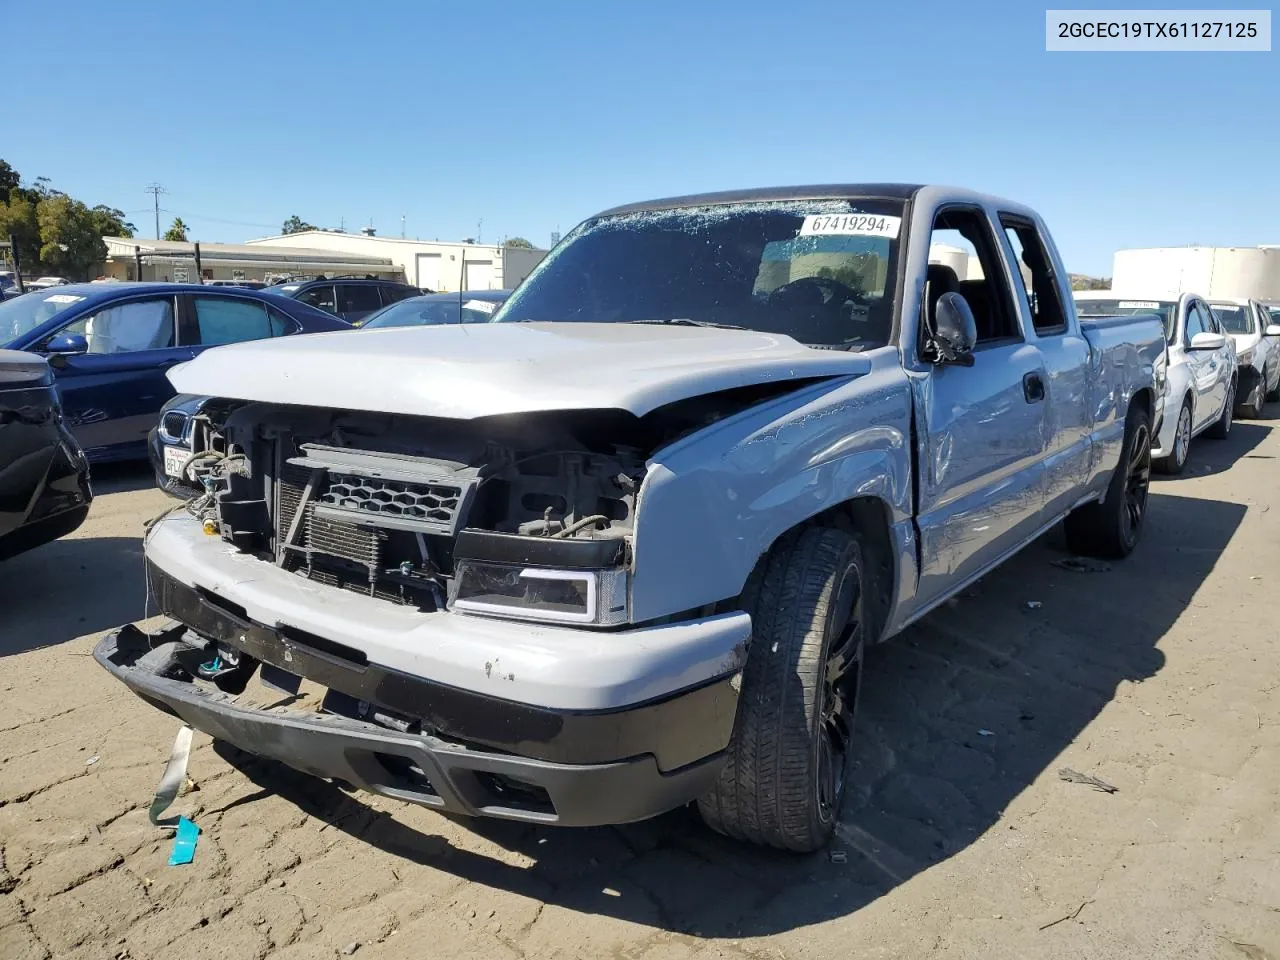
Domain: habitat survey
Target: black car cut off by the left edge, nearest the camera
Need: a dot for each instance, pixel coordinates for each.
(44, 476)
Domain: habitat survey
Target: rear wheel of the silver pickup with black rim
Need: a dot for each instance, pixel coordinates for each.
(1110, 528)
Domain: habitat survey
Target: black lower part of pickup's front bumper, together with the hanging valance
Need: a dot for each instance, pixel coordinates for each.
(460, 751)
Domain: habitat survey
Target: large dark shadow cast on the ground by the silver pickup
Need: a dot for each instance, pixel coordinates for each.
(961, 714)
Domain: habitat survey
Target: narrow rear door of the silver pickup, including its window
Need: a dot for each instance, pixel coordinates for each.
(1066, 355)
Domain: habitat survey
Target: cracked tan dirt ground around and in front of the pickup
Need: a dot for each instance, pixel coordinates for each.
(1162, 676)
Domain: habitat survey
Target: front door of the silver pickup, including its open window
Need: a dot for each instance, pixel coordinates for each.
(984, 429)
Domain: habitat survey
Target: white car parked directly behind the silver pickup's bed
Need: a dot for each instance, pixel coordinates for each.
(1200, 380)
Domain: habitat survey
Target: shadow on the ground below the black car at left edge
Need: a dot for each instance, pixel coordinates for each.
(70, 588)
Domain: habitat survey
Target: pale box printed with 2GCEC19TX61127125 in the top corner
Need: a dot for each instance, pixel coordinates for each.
(1185, 31)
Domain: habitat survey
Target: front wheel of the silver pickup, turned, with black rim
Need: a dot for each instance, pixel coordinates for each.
(783, 780)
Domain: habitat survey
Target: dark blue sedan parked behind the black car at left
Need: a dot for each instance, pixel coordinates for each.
(112, 344)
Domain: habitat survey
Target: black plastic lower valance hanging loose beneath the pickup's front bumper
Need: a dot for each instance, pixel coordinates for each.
(417, 767)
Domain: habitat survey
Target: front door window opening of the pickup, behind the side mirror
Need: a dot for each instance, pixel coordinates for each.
(964, 260)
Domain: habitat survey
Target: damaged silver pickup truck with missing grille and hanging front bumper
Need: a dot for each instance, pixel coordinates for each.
(624, 547)
